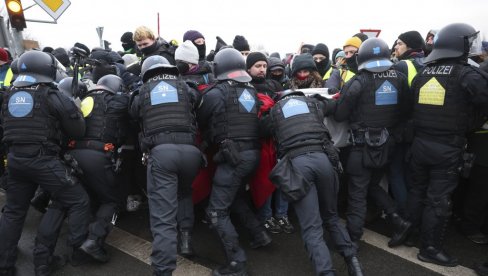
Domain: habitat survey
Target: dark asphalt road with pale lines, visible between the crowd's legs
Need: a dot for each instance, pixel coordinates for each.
(130, 243)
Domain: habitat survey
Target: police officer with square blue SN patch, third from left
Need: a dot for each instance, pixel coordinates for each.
(165, 108)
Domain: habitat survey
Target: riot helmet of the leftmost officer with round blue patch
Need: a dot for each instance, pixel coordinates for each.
(35, 67)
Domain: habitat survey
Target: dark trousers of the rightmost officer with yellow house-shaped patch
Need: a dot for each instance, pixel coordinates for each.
(435, 175)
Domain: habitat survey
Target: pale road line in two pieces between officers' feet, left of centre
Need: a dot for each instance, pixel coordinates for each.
(141, 250)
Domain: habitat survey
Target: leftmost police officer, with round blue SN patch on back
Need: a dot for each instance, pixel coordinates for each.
(35, 116)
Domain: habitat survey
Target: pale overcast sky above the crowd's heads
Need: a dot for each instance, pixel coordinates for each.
(275, 25)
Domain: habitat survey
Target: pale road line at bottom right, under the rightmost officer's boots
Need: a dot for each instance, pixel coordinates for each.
(410, 254)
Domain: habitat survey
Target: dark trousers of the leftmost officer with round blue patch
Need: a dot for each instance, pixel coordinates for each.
(25, 174)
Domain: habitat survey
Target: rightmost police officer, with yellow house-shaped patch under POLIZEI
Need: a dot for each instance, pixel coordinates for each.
(447, 93)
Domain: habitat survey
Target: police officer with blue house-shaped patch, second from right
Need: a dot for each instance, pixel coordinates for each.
(375, 102)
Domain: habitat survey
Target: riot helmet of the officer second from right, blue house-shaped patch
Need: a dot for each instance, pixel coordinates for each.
(374, 55)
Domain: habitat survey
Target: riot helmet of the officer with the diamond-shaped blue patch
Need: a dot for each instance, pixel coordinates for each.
(229, 64)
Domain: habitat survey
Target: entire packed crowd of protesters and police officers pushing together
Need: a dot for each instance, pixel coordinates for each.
(240, 131)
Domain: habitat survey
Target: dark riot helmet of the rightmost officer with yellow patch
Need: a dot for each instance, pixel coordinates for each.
(453, 41)
